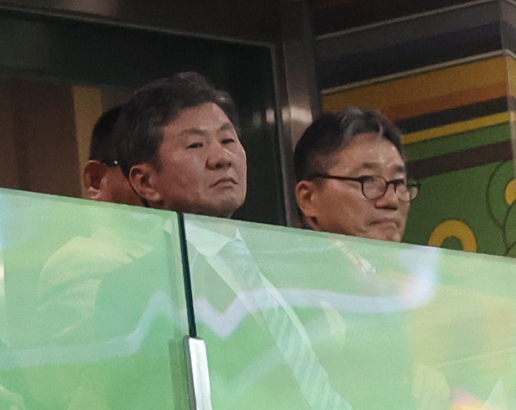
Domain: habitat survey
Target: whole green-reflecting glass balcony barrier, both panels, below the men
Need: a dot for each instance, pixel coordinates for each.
(93, 314)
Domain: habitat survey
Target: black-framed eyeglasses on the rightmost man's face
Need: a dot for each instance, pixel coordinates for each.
(375, 186)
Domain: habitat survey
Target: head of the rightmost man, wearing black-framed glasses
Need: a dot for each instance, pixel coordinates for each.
(352, 177)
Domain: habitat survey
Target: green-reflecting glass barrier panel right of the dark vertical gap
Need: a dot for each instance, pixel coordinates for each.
(298, 319)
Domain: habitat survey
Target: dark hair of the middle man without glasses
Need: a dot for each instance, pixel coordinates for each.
(139, 129)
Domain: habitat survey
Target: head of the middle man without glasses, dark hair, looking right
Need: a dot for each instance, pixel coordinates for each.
(178, 144)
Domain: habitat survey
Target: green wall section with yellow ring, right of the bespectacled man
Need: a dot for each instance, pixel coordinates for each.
(477, 198)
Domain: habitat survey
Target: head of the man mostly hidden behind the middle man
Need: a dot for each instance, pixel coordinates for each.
(102, 176)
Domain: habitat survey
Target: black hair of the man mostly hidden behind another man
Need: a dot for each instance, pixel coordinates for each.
(102, 145)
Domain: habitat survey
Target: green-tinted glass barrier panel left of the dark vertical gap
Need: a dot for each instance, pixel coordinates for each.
(92, 308)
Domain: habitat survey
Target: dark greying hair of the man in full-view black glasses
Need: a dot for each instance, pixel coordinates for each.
(332, 132)
